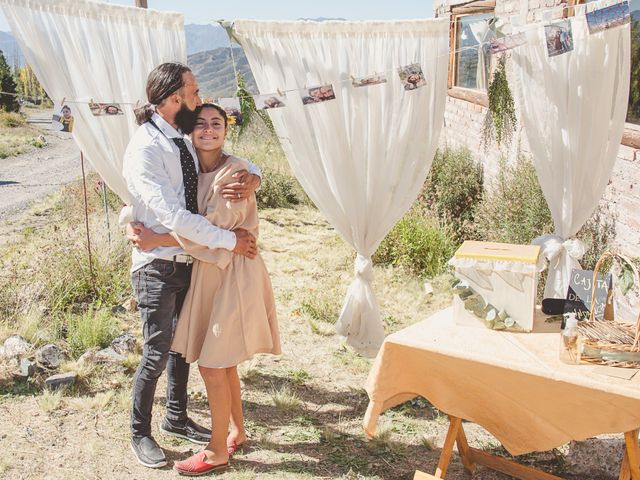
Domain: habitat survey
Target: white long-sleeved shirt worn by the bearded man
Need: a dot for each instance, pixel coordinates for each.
(153, 173)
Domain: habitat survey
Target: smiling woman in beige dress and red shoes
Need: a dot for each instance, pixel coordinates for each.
(229, 312)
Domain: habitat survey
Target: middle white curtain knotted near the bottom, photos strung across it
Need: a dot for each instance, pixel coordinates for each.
(363, 157)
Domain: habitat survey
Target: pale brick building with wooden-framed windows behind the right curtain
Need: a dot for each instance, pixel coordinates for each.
(469, 74)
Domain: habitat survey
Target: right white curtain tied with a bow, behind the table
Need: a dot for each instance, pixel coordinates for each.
(573, 109)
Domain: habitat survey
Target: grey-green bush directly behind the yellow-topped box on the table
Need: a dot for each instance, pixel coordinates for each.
(514, 209)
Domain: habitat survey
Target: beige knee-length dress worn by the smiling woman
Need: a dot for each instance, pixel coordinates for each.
(229, 312)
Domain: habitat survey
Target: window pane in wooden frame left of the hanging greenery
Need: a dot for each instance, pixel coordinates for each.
(472, 61)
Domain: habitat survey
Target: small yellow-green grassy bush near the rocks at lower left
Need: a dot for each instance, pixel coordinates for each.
(90, 329)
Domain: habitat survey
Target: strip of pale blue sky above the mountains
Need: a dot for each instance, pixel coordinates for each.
(201, 11)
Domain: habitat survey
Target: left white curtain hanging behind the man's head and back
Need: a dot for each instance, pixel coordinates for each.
(81, 51)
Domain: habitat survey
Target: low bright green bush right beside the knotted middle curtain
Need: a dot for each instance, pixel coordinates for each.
(419, 244)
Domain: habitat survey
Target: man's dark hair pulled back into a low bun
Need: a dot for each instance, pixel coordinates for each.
(163, 81)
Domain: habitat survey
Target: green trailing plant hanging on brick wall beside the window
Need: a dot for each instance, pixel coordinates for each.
(500, 121)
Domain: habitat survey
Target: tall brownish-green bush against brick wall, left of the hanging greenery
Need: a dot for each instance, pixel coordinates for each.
(454, 189)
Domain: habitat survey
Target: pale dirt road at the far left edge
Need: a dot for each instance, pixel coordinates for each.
(31, 176)
